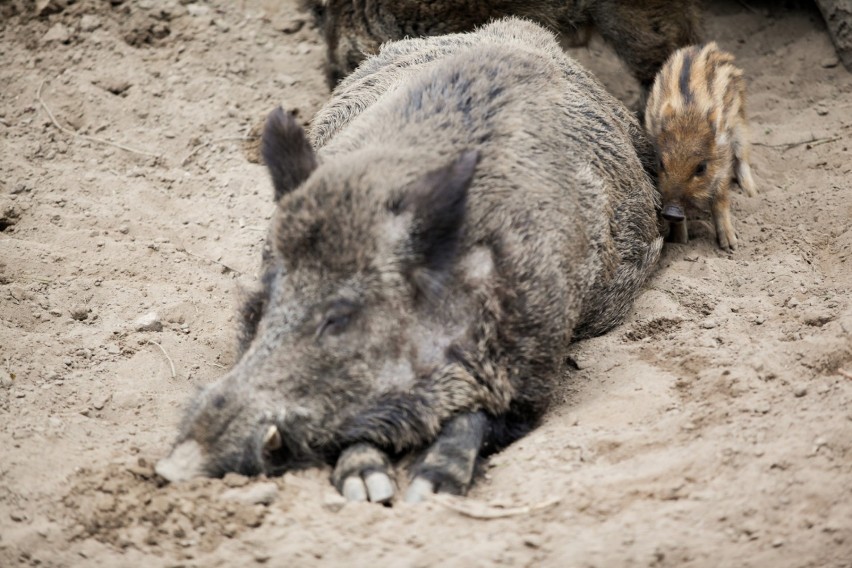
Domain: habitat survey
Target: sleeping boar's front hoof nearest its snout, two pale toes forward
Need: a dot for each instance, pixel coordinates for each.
(363, 472)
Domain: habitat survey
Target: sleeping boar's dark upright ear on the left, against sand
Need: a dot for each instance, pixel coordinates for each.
(286, 152)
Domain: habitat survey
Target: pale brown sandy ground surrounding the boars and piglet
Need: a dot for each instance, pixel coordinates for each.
(714, 428)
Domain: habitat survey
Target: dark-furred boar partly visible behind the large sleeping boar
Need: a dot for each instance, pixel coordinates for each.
(643, 32)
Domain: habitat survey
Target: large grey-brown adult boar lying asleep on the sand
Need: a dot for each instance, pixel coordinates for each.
(475, 201)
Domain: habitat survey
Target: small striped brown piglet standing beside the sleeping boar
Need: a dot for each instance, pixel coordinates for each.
(697, 121)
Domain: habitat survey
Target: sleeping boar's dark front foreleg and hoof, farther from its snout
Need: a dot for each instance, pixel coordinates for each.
(447, 465)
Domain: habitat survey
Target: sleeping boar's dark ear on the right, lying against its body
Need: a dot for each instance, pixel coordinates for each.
(437, 202)
